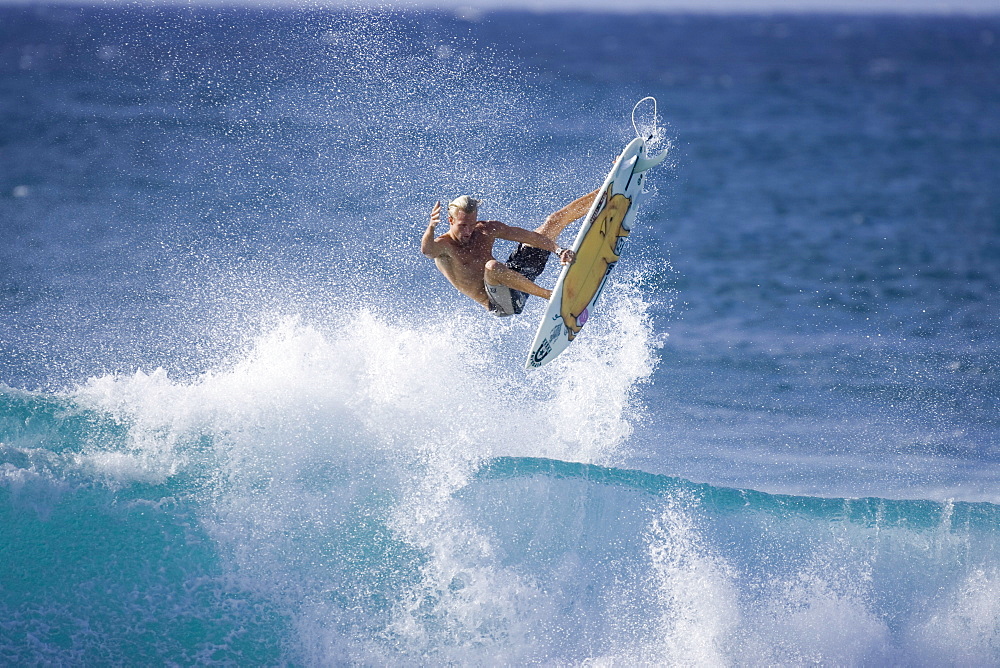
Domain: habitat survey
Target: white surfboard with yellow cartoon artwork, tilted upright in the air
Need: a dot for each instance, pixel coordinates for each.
(598, 247)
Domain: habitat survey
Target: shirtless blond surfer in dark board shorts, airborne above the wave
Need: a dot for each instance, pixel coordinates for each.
(464, 254)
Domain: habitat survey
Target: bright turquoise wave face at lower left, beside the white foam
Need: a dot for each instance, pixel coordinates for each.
(103, 574)
